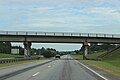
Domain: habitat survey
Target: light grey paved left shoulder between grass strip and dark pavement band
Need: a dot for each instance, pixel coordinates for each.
(10, 69)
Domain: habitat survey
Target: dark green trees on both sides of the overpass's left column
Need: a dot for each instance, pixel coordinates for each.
(5, 48)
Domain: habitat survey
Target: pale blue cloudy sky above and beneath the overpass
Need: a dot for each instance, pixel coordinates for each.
(82, 16)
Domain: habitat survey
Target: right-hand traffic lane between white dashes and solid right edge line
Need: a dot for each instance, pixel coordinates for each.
(68, 70)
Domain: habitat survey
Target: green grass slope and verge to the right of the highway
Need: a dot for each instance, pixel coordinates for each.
(110, 64)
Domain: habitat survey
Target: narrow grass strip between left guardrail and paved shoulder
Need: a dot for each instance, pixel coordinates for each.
(20, 62)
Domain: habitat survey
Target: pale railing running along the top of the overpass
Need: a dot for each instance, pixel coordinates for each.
(59, 34)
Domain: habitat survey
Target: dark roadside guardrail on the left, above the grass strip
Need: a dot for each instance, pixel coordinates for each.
(17, 59)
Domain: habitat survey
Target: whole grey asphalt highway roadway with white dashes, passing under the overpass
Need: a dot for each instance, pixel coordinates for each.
(60, 69)
